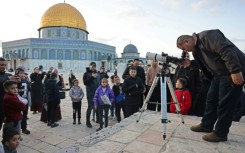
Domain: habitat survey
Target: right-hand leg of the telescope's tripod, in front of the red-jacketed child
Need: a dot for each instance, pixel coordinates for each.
(171, 88)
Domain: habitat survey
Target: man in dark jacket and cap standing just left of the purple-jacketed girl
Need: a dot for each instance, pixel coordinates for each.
(91, 80)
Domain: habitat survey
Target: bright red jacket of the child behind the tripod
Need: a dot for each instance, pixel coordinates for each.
(184, 99)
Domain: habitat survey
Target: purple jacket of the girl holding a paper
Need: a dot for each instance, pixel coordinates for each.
(99, 92)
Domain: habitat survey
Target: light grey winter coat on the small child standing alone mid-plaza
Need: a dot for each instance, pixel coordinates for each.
(76, 93)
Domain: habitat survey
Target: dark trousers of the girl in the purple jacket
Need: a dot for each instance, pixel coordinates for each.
(103, 110)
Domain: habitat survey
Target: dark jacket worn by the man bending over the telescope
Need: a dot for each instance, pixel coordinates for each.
(216, 55)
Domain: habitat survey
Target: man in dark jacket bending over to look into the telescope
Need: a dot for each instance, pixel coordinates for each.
(223, 63)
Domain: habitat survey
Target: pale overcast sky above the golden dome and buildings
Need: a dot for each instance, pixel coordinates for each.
(150, 25)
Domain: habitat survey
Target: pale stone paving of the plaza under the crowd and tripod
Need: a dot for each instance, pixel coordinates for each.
(125, 137)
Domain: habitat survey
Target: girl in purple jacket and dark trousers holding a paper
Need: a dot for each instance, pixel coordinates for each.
(103, 106)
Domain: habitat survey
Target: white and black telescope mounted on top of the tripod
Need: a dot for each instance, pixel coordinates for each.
(163, 58)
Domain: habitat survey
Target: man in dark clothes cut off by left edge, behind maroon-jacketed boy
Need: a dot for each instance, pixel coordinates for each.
(3, 76)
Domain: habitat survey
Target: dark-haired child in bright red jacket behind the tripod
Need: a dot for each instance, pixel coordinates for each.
(183, 96)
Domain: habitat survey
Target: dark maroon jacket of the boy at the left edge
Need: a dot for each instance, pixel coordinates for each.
(12, 108)
